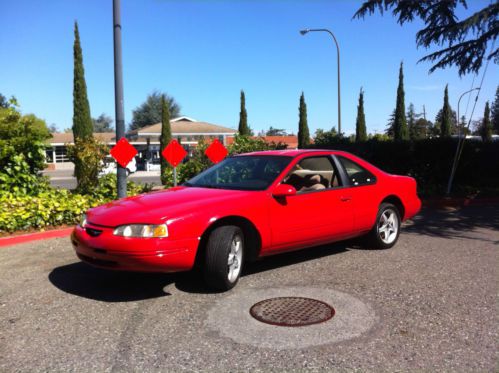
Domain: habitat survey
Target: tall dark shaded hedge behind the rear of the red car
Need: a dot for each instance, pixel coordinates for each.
(429, 161)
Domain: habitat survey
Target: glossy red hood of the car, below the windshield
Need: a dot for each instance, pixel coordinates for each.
(157, 207)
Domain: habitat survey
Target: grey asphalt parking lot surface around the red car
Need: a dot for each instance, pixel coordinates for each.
(430, 303)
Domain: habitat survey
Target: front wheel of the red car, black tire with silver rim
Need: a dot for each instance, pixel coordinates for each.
(220, 245)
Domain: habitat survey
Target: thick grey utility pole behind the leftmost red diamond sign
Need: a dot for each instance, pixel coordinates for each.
(118, 92)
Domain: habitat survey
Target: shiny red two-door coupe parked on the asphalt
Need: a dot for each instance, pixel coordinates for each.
(246, 207)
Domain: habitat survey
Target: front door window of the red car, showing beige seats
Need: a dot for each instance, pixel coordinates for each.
(311, 174)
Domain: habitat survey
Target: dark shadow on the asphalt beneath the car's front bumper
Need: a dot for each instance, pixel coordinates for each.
(109, 286)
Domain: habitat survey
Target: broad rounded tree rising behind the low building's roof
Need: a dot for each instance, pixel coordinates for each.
(150, 111)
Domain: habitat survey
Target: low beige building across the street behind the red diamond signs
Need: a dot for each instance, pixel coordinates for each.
(186, 130)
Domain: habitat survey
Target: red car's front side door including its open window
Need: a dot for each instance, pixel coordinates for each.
(317, 213)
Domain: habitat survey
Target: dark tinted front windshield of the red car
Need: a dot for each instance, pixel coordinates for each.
(254, 172)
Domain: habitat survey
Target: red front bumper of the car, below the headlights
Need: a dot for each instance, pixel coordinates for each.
(99, 247)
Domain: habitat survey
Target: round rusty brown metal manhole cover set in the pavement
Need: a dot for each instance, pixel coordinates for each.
(292, 311)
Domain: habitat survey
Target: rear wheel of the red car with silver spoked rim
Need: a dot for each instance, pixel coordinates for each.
(380, 239)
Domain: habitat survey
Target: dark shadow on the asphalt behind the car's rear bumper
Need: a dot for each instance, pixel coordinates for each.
(455, 223)
